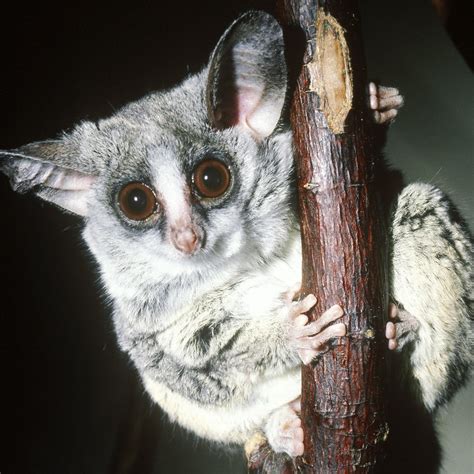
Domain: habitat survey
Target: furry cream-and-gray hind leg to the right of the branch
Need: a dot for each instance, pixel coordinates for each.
(433, 280)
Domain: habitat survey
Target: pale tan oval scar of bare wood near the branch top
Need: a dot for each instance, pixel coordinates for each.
(330, 71)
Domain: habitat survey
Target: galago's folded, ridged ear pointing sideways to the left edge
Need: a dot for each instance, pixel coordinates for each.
(52, 170)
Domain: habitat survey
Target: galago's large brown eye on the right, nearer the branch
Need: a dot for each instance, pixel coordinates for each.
(211, 178)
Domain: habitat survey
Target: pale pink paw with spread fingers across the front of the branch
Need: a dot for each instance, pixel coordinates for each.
(311, 339)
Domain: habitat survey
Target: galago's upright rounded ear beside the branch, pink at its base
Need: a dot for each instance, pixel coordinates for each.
(247, 78)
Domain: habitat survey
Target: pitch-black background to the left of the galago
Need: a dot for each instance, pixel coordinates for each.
(67, 393)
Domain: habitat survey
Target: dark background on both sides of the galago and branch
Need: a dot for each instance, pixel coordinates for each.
(69, 399)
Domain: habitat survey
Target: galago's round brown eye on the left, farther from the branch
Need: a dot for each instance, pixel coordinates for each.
(137, 201)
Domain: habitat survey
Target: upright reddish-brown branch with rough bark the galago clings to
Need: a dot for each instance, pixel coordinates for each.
(344, 248)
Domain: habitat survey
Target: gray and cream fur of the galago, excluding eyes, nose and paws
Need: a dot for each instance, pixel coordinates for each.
(209, 333)
